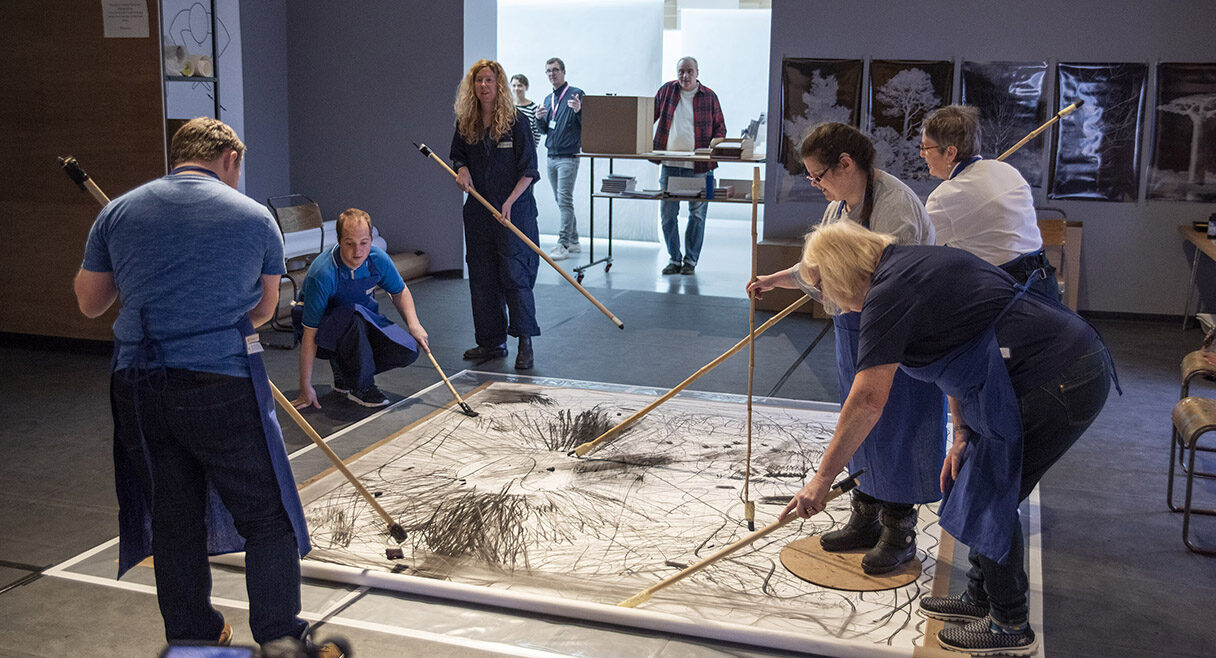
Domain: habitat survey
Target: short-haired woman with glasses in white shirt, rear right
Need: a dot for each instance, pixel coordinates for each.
(983, 206)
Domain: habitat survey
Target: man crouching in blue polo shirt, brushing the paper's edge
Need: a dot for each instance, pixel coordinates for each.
(342, 322)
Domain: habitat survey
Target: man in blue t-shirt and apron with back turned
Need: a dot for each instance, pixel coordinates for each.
(200, 464)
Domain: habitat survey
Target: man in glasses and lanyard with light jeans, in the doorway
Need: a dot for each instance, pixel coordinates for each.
(561, 119)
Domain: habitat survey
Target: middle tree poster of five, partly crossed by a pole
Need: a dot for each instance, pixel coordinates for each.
(1010, 98)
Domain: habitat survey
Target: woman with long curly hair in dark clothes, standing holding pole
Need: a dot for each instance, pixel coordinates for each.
(494, 155)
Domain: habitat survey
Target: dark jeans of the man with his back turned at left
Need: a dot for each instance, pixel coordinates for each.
(205, 429)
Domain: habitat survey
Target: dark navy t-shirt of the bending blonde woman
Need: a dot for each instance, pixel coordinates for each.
(925, 302)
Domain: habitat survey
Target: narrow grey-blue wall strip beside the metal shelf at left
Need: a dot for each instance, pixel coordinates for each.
(264, 68)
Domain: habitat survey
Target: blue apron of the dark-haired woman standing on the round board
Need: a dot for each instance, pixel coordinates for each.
(903, 454)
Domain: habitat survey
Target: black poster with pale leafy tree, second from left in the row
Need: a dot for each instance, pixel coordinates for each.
(902, 94)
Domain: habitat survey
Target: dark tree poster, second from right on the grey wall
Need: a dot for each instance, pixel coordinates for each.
(1097, 148)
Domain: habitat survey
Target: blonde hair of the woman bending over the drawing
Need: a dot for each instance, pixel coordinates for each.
(846, 255)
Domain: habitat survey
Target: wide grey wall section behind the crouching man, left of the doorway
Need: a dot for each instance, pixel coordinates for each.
(363, 85)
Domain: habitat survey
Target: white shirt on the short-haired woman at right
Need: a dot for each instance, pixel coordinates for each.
(988, 211)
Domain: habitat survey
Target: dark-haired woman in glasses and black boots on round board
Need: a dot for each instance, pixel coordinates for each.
(902, 458)
